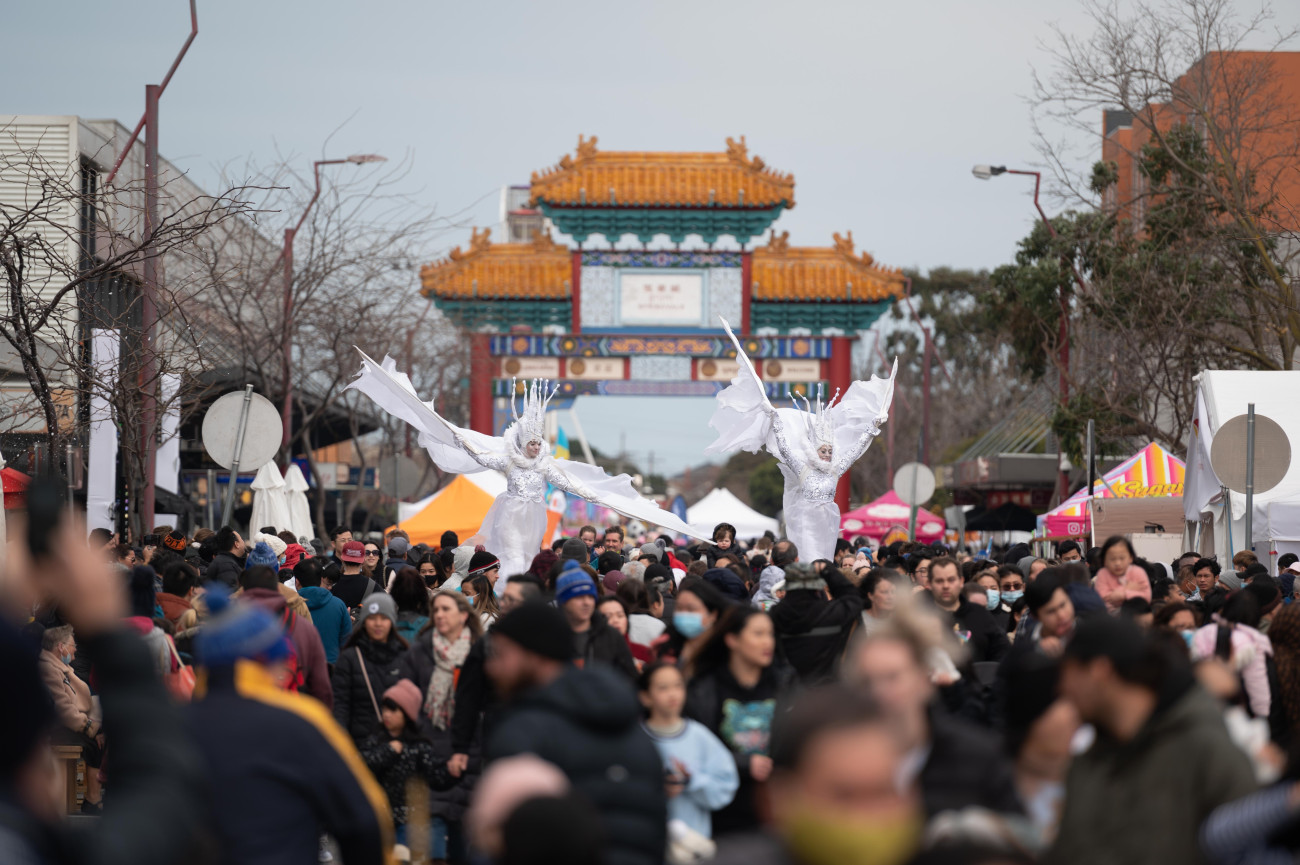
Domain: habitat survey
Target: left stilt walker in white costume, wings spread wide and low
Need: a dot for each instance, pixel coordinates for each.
(515, 525)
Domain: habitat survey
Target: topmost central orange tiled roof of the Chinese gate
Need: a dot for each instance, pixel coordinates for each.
(638, 179)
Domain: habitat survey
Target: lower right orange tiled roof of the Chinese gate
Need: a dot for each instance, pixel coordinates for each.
(837, 273)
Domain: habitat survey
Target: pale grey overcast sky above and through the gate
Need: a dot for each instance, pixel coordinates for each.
(879, 110)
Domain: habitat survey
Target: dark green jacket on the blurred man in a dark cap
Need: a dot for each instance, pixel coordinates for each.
(1145, 801)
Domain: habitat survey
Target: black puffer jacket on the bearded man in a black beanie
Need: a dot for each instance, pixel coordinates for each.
(588, 723)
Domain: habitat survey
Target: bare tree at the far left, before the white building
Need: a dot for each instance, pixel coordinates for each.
(72, 259)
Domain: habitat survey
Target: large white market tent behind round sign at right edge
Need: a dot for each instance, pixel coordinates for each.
(1221, 396)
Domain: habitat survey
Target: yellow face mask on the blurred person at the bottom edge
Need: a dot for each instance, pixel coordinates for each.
(816, 840)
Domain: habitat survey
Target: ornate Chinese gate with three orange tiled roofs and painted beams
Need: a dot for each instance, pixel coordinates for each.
(647, 322)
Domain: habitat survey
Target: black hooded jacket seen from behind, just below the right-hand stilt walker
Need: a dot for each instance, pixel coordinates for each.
(812, 632)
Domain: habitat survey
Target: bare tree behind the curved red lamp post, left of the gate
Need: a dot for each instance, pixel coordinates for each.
(354, 287)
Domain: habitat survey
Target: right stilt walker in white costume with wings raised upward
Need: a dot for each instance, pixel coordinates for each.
(814, 446)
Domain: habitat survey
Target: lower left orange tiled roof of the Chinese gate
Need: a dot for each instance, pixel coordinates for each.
(541, 270)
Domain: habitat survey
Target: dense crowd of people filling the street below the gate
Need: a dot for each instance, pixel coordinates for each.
(635, 700)
